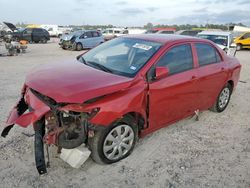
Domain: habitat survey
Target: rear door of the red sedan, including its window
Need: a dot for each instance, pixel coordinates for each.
(212, 73)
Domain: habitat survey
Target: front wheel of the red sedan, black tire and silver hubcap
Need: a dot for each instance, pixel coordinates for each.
(101, 147)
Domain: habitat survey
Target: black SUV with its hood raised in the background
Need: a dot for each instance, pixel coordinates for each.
(29, 34)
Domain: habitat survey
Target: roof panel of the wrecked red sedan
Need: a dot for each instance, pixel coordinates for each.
(163, 38)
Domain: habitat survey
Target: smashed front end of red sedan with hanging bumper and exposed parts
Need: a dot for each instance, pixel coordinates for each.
(53, 123)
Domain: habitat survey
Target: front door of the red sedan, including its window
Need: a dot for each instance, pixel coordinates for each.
(174, 96)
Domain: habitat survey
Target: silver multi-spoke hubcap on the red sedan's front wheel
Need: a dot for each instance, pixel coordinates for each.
(118, 142)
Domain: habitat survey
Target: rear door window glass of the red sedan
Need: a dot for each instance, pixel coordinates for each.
(207, 54)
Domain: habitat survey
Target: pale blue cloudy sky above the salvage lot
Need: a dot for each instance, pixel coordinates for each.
(125, 12)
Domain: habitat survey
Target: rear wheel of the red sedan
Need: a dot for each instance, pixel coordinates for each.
(222, 99)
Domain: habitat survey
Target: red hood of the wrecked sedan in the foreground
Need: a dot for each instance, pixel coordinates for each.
(74, 82)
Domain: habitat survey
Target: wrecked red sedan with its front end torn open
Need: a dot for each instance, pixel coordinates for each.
(123, 89)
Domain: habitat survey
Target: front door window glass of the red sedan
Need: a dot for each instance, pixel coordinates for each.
(177, 59)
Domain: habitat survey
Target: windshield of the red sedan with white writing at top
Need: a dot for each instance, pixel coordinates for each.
(122, 56)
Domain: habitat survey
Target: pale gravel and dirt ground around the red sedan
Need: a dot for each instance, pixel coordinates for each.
(211, 152)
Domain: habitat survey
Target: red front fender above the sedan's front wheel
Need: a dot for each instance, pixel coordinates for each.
(132, 99)
